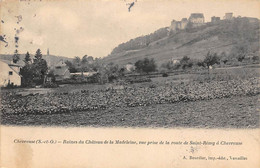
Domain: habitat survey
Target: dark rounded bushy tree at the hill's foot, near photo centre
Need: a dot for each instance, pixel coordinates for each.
(146, 65)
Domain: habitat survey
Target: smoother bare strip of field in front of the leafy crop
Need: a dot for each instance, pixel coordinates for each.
(233, 112)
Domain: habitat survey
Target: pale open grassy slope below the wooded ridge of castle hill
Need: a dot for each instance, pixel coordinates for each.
(194, 44)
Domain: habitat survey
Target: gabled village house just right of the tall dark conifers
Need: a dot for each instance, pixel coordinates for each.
(61, 71)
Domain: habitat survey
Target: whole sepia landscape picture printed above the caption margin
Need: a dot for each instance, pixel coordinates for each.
(66, 64)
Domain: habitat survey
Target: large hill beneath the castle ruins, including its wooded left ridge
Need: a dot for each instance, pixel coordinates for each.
(222, 36)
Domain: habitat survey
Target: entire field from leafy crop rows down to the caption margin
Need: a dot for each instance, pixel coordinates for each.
(222, 98)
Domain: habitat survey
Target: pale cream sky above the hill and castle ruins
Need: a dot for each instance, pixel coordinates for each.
(94, 27)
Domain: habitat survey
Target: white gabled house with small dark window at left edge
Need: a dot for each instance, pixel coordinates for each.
(9, 73)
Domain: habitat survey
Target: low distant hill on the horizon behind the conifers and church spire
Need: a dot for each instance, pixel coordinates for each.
(51, 59)
